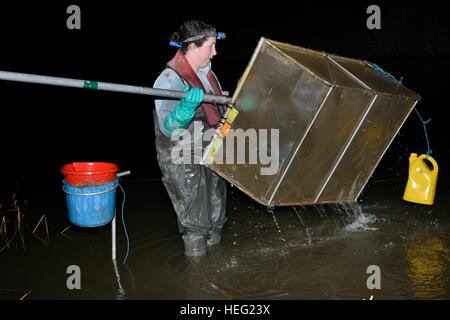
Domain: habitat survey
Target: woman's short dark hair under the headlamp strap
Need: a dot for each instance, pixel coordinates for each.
(193, 31)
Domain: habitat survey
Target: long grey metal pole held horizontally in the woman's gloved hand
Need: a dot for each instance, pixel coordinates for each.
(86, 84)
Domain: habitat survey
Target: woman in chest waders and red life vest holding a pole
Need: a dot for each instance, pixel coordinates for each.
(198, 195)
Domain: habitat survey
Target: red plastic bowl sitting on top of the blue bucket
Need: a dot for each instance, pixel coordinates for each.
(85, 174)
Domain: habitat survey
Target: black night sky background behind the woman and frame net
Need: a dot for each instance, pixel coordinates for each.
(43, 127)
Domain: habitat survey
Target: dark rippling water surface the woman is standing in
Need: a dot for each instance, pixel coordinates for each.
(310, 252)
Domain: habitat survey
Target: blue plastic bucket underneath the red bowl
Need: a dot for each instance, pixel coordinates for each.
(91, 206)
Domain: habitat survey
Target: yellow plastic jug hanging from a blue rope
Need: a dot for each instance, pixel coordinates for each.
(421, 185)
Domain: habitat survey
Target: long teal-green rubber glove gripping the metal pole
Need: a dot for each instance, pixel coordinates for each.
(184, 112)
